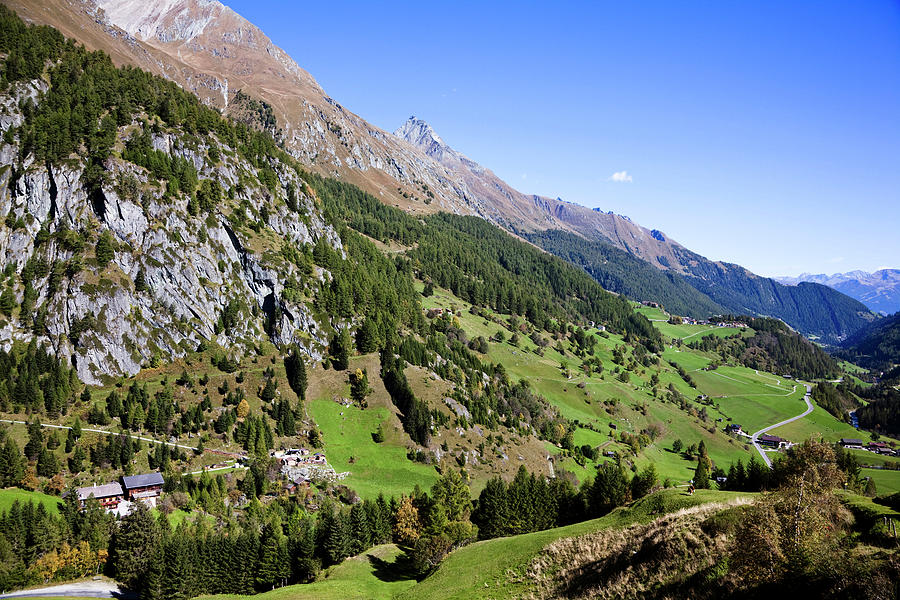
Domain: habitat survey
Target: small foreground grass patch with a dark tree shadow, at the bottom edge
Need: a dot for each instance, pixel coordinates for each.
(369, 576)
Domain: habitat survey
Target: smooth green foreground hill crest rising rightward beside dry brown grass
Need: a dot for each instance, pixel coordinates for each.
(482, 570)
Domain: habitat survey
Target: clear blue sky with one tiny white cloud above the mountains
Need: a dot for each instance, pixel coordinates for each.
(759, 133)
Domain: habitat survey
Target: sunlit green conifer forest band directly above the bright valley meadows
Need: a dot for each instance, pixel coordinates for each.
(484, 265)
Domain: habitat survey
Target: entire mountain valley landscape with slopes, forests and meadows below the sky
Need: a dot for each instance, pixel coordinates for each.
(251, 344)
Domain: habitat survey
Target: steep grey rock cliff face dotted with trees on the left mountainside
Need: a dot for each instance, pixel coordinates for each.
(191, 267)
